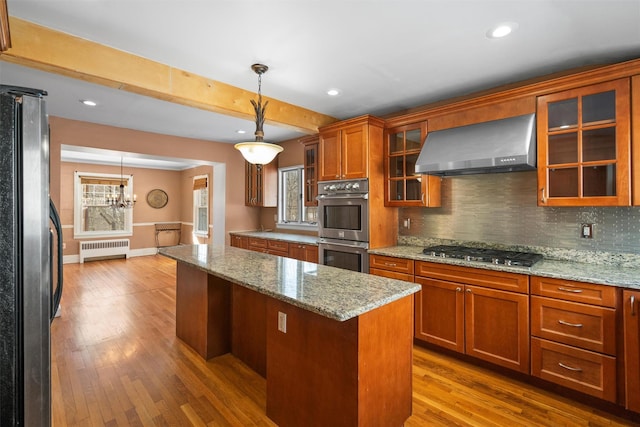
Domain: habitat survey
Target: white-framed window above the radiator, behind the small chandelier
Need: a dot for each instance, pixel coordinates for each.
(94, 216)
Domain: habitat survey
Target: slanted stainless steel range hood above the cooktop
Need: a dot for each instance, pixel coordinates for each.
(505, 145)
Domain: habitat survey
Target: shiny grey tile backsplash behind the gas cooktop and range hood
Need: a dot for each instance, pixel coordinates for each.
(501, 208)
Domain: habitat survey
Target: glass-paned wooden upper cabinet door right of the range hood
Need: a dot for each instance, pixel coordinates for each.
(584, 146)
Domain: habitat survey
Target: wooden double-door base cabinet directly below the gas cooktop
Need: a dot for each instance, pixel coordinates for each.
(482, 313)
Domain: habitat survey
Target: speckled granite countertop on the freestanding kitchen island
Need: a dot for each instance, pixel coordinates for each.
(331, 292)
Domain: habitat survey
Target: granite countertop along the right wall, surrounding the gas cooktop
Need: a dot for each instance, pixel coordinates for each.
(615, 275)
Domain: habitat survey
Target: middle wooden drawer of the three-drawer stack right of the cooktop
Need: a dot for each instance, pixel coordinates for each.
(586, 326)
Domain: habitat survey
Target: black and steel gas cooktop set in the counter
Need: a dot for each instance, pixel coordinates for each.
(494, 256)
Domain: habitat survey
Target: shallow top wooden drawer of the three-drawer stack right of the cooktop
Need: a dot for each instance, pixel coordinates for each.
(569, 290)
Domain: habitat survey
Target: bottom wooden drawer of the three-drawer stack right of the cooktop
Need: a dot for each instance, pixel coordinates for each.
(582, 370)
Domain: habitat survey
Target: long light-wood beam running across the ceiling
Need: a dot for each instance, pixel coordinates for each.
(52, 51)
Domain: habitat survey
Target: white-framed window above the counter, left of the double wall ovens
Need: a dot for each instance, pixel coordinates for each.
(292, 213)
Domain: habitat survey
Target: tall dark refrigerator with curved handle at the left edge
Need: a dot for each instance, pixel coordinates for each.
(30, 242)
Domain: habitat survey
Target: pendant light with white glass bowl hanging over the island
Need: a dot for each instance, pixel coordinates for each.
(259, 152)
